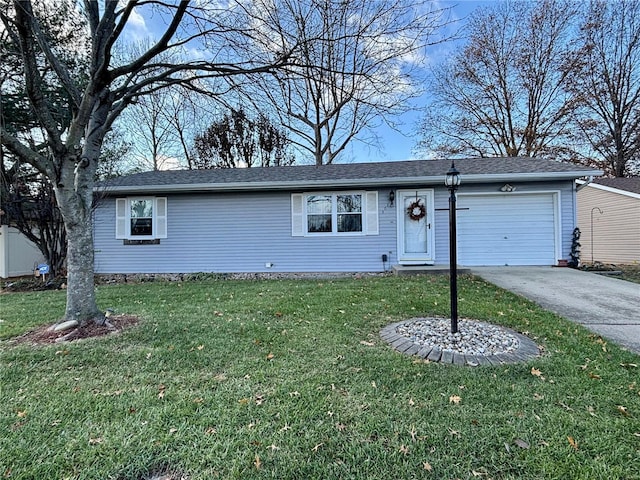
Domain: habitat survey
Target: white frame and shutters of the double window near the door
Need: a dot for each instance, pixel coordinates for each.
(369, 214)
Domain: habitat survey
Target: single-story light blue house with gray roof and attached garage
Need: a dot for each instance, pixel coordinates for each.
(336, 218)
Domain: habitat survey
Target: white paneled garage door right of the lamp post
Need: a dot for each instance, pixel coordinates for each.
(513, 229)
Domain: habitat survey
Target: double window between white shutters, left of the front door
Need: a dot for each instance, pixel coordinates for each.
(334, 213)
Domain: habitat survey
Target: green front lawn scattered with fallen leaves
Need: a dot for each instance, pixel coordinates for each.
(289, 379)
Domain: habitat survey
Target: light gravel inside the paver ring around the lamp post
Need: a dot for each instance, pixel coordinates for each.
(473, 337)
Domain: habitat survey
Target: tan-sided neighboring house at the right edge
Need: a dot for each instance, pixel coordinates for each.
(609, 220)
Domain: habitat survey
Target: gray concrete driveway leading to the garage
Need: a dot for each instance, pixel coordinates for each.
(607, 306)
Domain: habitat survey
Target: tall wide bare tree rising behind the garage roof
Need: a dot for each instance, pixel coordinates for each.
(503, 94)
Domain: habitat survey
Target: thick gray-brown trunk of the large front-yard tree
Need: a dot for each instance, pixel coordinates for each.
(74, 193)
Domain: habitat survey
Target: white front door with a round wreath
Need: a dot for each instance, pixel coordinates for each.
(415, 227)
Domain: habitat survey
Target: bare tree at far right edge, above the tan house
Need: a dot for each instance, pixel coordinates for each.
(607, 85)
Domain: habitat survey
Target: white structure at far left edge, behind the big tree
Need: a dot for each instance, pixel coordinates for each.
(18, 255)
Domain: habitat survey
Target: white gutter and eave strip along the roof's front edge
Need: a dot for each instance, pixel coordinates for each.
(342, 183)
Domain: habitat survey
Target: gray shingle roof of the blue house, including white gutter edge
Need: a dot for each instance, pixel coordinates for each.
(424, 172)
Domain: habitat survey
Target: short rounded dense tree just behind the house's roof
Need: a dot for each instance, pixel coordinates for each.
(235, 140)
